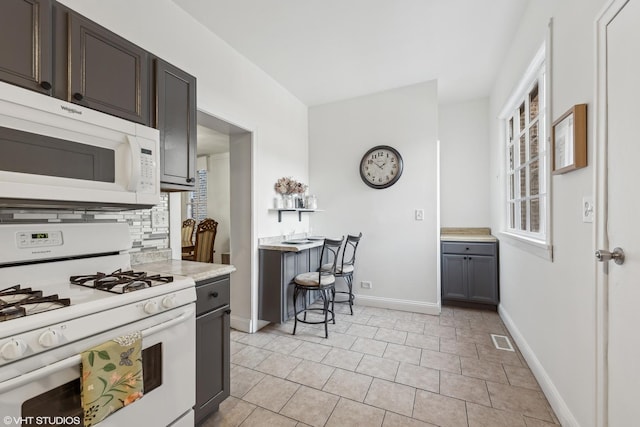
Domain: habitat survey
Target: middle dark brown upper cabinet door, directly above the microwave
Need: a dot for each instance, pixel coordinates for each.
(106, 72)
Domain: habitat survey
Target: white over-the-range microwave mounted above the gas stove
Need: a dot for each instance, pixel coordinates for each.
(55, 154)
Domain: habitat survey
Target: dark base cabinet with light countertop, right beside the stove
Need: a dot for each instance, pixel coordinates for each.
(213, 363)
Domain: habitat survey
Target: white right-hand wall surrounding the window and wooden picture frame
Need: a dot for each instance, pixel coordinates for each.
(551, 305)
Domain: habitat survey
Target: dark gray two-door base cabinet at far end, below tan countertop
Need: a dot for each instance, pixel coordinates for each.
(470, 273)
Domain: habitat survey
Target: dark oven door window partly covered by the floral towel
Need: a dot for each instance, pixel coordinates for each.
(64, 401)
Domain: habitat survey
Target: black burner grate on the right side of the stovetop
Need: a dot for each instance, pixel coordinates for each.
(120, 281)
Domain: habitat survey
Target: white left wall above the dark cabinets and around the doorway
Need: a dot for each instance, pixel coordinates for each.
(230, 88)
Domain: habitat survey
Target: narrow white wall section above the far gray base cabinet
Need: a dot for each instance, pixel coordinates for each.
(463, 131)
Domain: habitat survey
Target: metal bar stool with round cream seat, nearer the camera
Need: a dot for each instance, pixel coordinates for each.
(322, 281)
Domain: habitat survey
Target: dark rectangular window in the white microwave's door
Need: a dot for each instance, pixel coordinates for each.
(27, 152)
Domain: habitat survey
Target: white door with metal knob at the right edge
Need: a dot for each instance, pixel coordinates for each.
(622, 212)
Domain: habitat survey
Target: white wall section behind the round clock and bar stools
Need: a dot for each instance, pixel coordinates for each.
(397, 253)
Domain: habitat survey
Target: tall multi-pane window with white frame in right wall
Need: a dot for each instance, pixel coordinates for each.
(525, 125)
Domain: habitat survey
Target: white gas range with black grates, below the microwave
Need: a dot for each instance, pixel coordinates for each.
(58, 298)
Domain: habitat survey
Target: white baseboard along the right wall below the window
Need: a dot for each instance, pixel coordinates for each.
(558, 404)
